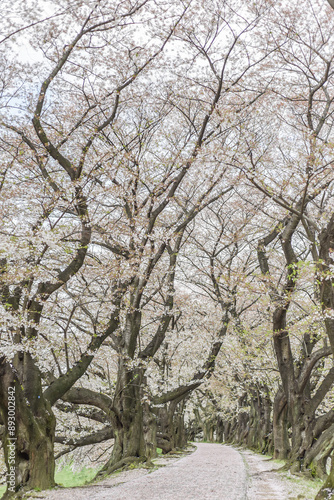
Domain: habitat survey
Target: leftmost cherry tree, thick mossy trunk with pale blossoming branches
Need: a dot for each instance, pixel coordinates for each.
(48, 140)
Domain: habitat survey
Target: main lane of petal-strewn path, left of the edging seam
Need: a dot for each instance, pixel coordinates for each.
(212, 472)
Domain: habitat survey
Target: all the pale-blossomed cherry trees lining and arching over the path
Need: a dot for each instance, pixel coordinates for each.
(166, 203)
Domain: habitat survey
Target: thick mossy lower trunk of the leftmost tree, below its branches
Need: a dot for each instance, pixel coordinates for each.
(29, 442)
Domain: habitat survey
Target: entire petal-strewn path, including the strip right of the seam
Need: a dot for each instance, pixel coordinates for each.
(212, 472)
